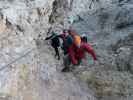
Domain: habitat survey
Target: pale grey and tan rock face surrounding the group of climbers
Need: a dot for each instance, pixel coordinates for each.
(28, 71)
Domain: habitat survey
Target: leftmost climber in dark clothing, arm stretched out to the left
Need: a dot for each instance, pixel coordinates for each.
(55, 43)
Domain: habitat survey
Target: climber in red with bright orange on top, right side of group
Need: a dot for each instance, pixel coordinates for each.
(76, 52)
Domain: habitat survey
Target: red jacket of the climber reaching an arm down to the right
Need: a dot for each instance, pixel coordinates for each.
(78, 53)
